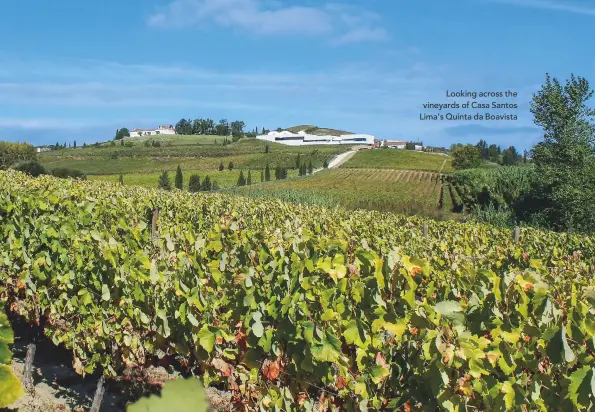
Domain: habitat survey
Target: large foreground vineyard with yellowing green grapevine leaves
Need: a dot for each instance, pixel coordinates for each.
(290, 306)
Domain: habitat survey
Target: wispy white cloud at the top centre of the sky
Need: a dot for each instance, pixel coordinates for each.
(340, 20)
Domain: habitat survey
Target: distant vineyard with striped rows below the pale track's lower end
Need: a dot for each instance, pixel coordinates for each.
(403, 191)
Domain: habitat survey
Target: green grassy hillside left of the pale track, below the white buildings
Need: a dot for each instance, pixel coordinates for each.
(190, 152)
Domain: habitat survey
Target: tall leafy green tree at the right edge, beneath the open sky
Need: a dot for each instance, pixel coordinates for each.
(562, 194)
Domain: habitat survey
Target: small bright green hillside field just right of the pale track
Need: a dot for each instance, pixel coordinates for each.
(399, 159)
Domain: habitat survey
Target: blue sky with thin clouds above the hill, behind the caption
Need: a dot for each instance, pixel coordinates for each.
(79, 70)
